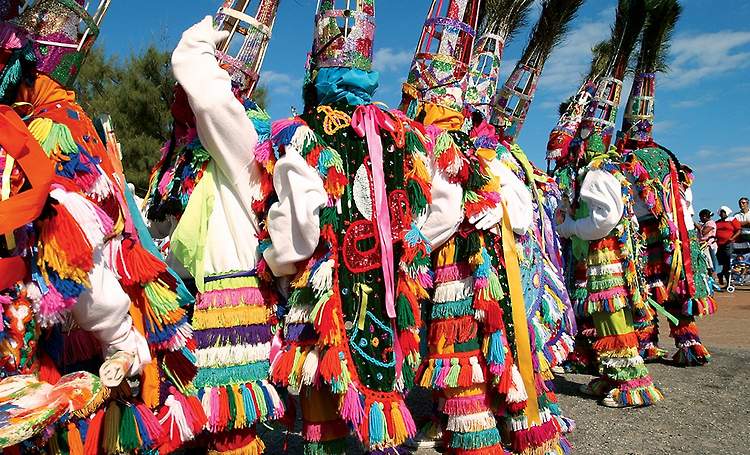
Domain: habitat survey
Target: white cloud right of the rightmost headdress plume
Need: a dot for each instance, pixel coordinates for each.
(705, 55)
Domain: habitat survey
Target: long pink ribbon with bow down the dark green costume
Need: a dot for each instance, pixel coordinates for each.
(367, 121)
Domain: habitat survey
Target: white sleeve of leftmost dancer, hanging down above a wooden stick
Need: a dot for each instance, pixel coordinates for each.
(104, 309)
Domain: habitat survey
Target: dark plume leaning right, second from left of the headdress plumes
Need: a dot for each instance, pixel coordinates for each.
(550, 30)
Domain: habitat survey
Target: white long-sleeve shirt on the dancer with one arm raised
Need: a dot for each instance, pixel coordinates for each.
(230, 138)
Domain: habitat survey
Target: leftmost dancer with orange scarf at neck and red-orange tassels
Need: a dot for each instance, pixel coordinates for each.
(90, 259)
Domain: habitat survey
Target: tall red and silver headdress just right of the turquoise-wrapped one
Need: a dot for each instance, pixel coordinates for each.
(441, 62)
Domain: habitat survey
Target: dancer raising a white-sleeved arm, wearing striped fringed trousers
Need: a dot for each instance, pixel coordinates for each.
(203, 189)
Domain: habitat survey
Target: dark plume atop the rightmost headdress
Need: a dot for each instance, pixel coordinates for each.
(657, 33)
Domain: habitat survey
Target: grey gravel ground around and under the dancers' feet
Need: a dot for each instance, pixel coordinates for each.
(701, 414)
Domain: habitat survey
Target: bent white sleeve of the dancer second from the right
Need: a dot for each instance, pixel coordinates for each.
(603, 195)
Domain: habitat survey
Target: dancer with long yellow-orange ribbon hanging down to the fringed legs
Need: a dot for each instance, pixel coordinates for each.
(471, 304)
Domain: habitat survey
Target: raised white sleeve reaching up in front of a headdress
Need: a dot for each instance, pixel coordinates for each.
(223, 127)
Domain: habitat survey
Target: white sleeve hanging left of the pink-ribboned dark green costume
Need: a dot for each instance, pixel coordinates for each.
(294, 221)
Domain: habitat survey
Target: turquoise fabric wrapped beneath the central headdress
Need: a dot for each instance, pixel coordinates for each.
(351, 85)
